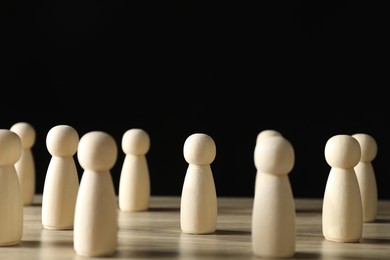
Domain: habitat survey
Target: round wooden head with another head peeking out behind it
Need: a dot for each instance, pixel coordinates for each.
(275, 155)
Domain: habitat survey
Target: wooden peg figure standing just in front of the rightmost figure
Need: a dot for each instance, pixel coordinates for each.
(342, 210)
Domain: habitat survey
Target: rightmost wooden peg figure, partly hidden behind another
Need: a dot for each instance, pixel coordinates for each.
(366, 176)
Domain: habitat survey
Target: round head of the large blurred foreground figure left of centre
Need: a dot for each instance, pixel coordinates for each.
(97, 151)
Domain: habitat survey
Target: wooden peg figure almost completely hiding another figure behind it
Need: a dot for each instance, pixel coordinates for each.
(273, 215)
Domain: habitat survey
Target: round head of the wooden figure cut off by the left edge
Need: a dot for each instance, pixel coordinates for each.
(10, 147)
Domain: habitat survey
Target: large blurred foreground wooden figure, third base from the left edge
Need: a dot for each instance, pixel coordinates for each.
(96, 218)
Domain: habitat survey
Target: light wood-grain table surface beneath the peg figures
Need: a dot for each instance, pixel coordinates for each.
(156, 234)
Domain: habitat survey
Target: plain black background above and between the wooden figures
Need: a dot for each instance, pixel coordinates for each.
(309, 69)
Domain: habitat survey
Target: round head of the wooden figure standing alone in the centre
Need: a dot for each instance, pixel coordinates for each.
(199, 149)
